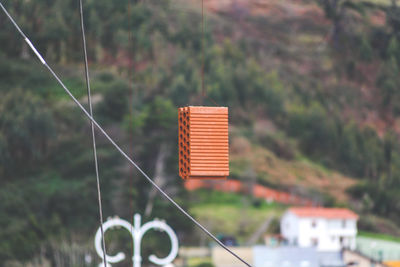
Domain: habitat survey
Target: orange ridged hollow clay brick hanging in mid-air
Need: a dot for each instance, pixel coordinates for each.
(203, 143)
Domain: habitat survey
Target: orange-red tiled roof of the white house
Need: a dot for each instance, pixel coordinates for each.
(329, 213)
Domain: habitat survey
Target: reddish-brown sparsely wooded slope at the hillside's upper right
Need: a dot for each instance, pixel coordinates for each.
(292, 36)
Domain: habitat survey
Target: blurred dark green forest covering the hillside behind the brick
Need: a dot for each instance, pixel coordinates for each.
(146, 61)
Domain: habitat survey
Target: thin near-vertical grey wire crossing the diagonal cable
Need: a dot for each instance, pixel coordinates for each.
(96, 164)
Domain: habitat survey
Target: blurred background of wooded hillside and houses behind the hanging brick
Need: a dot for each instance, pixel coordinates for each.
(314, 102)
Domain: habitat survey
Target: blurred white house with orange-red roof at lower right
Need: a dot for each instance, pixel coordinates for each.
(327, 229)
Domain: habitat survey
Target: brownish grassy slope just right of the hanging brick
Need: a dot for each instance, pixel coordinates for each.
(299, 175)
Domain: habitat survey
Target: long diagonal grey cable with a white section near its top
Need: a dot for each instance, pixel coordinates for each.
(119, 149)
